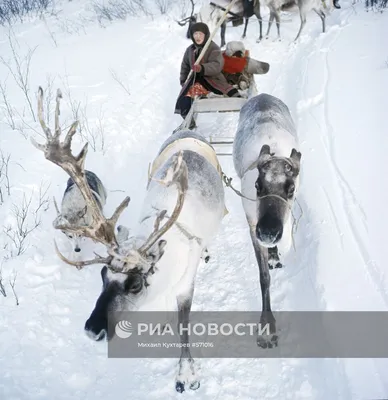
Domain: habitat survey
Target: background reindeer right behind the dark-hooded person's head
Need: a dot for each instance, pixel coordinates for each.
(211, 14)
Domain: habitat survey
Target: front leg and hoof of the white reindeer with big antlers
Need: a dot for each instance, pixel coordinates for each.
(187, 369)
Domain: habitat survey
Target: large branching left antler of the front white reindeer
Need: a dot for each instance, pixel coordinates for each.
(101, 229)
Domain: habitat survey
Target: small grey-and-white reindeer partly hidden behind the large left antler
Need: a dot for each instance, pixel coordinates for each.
(74, 210)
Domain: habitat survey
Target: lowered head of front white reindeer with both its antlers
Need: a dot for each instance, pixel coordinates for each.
(126, 273)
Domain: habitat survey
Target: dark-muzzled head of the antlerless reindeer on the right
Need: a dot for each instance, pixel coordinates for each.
(275, 188)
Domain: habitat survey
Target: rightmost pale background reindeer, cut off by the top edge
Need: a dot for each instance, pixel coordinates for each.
(304, 6)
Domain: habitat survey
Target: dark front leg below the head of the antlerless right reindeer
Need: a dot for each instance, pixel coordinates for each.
(264, 341)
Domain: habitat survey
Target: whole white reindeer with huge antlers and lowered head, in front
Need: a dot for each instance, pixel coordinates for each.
(185, 187)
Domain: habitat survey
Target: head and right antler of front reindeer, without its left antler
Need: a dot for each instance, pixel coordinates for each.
(127, 279)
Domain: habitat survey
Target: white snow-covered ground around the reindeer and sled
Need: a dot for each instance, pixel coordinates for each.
(335, 85)
